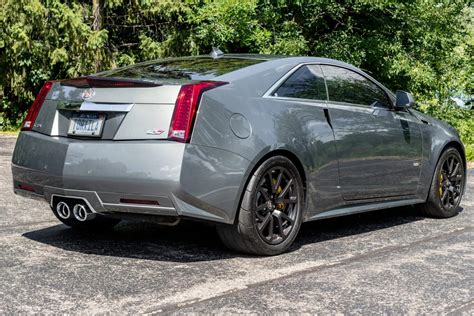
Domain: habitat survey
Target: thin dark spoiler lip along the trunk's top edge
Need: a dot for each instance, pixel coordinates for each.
(103, 82)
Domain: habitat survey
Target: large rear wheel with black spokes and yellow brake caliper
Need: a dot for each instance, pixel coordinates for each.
(280, 206)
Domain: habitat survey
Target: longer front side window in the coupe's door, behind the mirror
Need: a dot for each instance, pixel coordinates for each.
(347, 86)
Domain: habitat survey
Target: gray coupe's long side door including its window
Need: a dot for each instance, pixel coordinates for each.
(379, 149)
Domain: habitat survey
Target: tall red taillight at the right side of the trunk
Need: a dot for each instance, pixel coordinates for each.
(186, 108)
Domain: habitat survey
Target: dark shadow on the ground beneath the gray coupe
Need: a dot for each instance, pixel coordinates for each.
(195, 241)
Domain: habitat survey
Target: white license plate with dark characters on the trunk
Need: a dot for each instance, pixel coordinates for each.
(86, 124)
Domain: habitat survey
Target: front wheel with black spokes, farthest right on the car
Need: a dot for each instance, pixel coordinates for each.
(446, 187)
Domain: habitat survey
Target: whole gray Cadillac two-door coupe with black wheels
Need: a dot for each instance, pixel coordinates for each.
(255, 144)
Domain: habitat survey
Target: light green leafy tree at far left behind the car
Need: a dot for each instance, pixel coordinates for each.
(40, 41)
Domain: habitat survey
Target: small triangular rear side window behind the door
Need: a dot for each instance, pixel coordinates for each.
(305, 83)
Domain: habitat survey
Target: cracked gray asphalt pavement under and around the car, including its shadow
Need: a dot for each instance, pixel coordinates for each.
(390, 261)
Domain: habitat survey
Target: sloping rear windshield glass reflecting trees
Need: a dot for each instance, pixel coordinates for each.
(180, 70)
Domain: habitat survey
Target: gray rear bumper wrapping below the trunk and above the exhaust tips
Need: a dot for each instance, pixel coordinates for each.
(184, 179)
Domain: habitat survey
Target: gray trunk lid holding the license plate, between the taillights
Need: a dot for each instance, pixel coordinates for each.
(117, 113)
